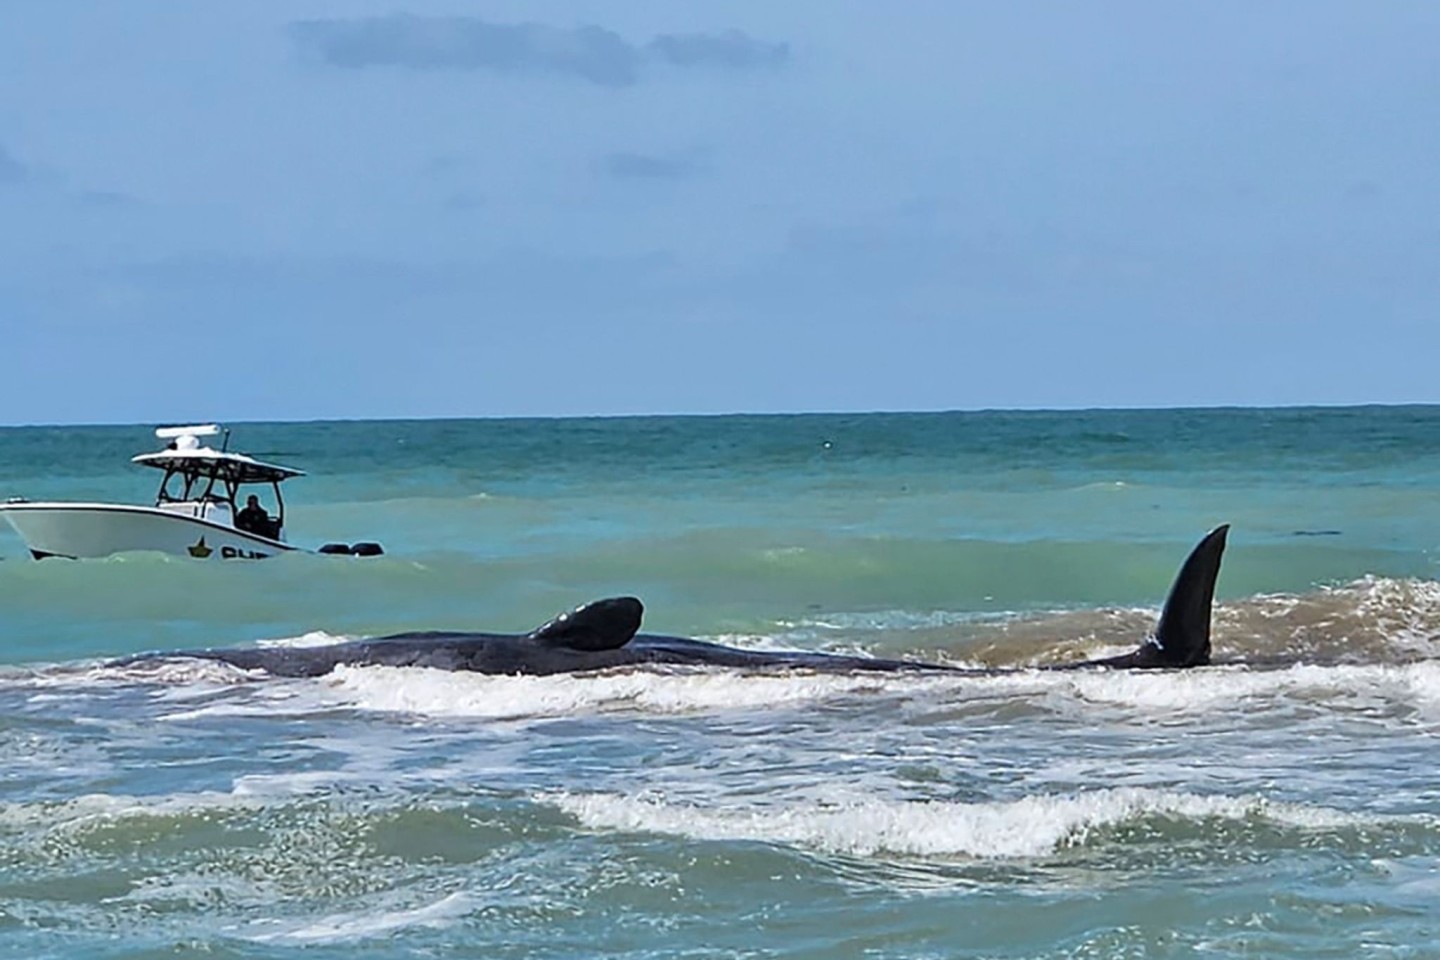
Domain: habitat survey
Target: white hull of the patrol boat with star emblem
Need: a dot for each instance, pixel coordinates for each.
(100, 530)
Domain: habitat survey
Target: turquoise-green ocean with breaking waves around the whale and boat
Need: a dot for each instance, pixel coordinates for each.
(1281, 804)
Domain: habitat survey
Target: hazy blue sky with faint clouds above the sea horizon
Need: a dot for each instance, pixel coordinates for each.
(401, 209)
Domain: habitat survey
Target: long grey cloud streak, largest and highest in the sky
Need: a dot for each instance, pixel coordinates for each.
(470, 44)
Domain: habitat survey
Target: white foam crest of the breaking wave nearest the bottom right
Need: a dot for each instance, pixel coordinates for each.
(1030, 827)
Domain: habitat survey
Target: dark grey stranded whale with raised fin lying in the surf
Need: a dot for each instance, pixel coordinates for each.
(603, 635)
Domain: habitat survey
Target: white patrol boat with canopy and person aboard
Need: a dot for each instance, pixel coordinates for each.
(197, 512)
